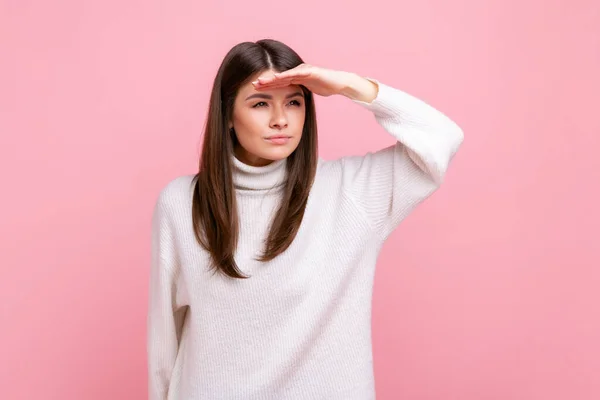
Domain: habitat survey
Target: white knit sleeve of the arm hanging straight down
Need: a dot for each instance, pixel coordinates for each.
(164, 317)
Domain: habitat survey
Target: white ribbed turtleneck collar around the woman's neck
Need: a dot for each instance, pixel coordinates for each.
(259, 178)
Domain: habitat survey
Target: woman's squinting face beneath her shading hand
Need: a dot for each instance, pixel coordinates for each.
(268, 123)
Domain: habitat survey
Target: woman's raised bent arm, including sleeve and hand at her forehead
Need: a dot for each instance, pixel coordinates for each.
(388, 184)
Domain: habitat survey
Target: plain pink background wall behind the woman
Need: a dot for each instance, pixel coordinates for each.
(490, 290)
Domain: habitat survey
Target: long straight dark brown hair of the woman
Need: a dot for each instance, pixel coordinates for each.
(214, 210)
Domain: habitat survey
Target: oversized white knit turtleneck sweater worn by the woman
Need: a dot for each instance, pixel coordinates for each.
(300, 326)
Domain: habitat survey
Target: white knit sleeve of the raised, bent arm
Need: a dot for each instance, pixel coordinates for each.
(388, 184)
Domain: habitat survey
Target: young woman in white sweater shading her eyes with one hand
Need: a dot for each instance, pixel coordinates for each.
(263, 262)
